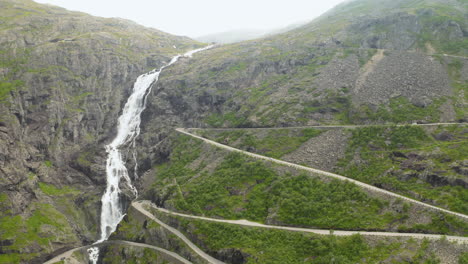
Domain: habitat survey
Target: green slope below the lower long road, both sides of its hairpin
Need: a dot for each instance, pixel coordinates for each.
(234, 244)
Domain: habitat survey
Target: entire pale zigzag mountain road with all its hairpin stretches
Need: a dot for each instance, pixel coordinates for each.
(138, 205)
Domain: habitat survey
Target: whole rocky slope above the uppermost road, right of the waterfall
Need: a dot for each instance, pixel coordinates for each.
(352, 65)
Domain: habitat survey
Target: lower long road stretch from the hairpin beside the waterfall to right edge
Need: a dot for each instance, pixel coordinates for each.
(139, 206)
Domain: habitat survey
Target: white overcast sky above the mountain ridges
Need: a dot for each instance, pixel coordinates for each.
(200, 17)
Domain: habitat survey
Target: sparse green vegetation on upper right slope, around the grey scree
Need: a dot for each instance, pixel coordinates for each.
(281, 87)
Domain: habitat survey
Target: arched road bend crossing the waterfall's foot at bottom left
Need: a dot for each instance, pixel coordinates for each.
(175, 258)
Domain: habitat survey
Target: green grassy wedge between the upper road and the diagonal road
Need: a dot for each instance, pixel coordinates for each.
(426, 164)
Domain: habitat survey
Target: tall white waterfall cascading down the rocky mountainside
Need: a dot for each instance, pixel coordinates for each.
(127, 131)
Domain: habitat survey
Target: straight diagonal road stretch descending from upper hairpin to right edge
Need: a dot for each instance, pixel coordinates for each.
(325, 173)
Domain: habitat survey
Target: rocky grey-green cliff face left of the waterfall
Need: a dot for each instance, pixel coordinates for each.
(64, 77)
